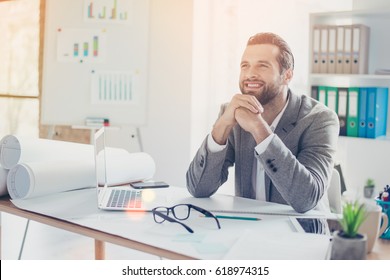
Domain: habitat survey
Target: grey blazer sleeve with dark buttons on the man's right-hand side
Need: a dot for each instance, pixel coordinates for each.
(301, 172)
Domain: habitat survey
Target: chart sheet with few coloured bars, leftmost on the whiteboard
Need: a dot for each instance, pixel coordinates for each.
(81, 45)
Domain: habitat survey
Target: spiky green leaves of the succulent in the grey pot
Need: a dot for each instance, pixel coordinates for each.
(354, 213)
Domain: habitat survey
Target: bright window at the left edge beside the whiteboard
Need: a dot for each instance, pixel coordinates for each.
(19, 68)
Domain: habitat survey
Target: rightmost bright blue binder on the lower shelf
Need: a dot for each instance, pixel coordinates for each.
(377, 102)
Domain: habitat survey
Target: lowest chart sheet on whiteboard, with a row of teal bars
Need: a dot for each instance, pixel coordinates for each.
(112, 87)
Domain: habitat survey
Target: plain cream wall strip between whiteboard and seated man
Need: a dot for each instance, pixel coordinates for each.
(167, 133)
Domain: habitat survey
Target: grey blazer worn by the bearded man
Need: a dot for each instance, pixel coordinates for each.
(298, 162)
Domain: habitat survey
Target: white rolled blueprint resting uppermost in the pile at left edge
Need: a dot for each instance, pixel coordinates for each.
(15, 149)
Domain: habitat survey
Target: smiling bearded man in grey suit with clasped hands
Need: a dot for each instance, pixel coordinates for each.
(282, 144)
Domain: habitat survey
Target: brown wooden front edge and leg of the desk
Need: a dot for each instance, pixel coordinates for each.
(100, 237)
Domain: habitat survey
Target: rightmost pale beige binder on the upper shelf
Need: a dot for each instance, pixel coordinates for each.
(360, 43)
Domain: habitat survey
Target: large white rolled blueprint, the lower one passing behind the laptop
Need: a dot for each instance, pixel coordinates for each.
(32, 179)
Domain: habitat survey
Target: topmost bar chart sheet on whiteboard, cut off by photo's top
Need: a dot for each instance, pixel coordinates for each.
(107, 10)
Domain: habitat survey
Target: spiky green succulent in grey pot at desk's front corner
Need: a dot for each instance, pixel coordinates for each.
(348, 243)
